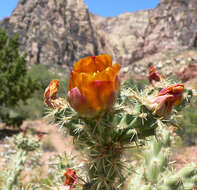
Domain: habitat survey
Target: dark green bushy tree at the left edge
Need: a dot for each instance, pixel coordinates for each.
(15, 84)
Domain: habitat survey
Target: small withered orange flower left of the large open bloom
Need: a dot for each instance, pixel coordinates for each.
(50, 95)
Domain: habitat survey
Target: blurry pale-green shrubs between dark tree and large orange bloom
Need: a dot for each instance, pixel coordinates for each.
(34, 106)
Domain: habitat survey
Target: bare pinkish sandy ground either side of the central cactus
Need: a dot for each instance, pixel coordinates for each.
(182, 156)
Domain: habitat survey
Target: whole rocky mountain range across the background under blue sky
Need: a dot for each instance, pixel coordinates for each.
(62, 31)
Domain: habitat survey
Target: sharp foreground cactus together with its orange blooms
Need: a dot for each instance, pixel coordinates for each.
(101, 127)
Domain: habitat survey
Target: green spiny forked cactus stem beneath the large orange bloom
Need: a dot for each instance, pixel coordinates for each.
(103, 139)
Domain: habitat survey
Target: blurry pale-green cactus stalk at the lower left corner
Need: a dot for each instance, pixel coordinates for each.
(24, 144)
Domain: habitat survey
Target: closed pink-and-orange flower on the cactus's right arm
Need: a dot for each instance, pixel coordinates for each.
(168, 97)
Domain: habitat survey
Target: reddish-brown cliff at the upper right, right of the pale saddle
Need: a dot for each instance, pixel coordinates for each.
(172, 26)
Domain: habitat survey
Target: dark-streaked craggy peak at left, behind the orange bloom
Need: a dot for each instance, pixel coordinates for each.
(55, 31)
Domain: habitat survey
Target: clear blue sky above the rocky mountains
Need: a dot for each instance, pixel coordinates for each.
(101, 7)
